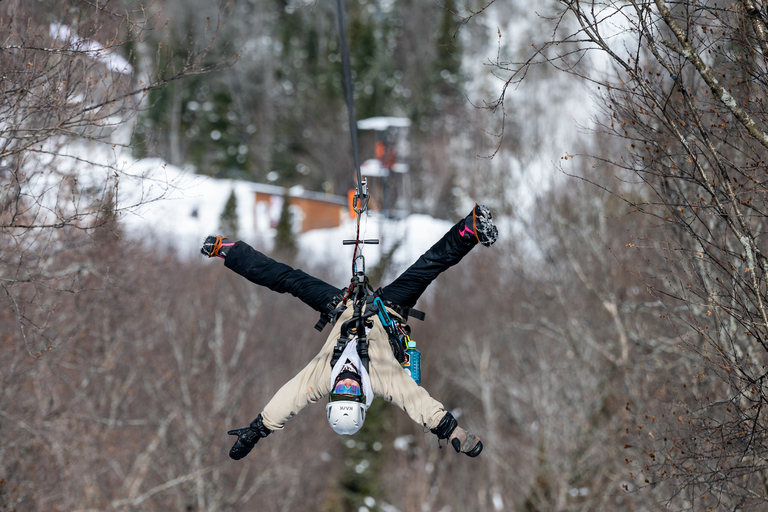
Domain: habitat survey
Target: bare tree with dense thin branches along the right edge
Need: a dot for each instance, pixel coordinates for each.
(684, 88)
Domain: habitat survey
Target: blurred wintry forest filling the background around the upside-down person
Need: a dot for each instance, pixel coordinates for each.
(610, 349)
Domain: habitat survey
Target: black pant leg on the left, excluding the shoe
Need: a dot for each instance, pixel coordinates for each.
(263, 270)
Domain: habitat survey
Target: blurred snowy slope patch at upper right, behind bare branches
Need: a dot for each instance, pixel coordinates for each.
(549, 114)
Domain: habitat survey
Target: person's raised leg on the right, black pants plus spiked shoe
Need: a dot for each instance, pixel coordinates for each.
(476, 228)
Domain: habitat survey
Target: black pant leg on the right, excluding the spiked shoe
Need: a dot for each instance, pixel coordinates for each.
(447, 252)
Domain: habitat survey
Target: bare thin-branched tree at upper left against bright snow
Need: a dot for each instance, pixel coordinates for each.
(72, 85)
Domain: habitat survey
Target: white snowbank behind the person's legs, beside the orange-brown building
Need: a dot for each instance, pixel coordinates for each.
(178, 208)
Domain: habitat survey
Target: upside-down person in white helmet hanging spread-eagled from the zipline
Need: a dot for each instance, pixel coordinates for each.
(361, 358)
